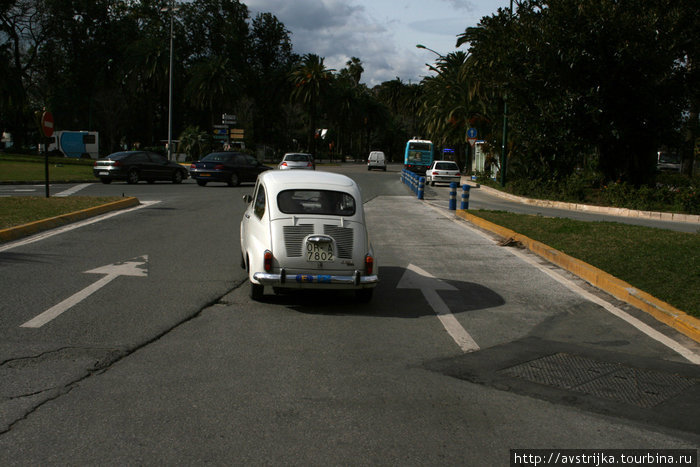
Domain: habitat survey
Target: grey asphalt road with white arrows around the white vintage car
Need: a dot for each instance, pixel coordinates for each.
(468, 349)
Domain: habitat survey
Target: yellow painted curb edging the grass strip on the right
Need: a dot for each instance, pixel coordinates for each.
(662, 311)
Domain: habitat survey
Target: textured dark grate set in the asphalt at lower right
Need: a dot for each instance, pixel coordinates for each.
(643, 388)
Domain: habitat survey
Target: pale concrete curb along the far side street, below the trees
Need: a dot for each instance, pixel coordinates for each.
(624, 212)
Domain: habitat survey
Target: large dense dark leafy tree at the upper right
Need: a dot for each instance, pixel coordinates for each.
(584, 78)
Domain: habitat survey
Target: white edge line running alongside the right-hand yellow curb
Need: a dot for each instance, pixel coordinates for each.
(672, 344)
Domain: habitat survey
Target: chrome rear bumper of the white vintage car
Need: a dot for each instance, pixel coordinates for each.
(301, 280)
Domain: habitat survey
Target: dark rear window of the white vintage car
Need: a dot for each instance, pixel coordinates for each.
(325, 202)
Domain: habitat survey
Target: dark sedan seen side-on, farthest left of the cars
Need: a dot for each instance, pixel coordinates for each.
(134, 166)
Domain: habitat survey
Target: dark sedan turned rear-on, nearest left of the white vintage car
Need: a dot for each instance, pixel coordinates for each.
(232, 168)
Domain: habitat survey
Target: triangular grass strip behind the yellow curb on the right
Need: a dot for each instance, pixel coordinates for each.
(664, 263)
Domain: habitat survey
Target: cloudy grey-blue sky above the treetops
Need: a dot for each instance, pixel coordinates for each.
(382, 33)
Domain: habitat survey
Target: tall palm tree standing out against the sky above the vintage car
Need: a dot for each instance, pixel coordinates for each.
(311, 80)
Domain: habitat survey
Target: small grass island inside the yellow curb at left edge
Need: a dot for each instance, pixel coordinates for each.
(20, 210)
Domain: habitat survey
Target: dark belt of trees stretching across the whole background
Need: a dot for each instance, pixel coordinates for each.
(594, 89)
